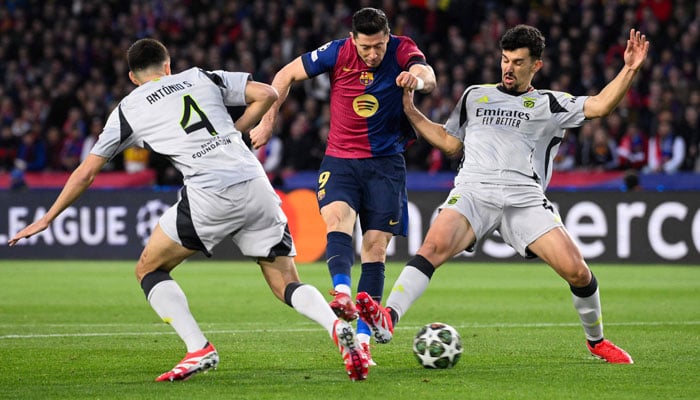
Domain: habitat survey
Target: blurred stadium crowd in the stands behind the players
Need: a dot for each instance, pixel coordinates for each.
(63, 69)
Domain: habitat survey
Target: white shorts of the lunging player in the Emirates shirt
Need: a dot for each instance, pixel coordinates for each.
(520, 213)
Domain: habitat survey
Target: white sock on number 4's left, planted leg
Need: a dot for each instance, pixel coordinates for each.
(170, 303)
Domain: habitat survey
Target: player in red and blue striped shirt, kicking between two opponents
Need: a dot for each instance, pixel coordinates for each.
(363, 172)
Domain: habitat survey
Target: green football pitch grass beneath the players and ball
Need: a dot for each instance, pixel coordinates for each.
(83, 329)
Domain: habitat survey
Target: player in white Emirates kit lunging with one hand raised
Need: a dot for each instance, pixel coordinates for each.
(510, 133)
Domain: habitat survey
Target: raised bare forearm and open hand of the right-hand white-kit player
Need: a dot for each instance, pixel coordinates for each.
(605, 102)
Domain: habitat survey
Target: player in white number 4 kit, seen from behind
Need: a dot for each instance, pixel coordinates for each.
(226, 194)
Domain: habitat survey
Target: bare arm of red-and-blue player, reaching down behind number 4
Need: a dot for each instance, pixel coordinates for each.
(290, 73)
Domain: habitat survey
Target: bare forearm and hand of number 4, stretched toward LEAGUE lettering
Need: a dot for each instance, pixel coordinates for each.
(81, 178)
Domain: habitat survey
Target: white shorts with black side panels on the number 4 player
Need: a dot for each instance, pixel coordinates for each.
(249, 212)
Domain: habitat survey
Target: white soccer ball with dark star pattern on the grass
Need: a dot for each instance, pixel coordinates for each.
(437, 345)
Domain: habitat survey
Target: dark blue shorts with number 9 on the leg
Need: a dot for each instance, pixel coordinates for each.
(374, 187)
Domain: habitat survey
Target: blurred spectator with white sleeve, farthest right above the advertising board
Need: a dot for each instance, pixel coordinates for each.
(666, 150)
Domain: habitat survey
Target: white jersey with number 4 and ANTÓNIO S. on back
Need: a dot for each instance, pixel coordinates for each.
(184, 117)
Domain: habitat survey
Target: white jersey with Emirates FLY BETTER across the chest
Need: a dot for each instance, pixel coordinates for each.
(511, 139)
